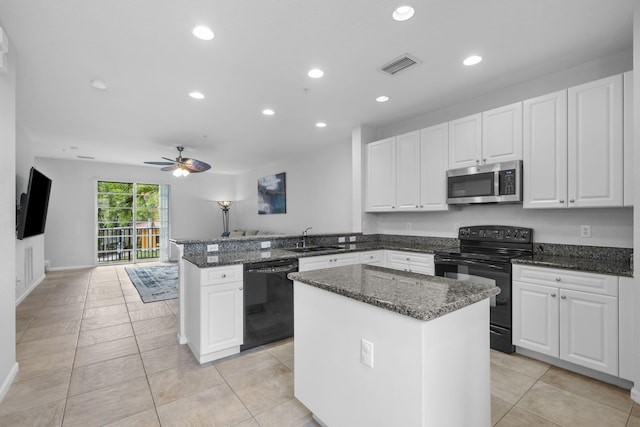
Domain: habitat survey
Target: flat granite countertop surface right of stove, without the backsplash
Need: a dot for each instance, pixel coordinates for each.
(612, 266)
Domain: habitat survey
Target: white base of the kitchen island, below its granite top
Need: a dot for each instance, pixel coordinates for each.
(425, 373)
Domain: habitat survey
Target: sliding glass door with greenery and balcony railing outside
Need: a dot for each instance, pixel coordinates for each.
(132, 222)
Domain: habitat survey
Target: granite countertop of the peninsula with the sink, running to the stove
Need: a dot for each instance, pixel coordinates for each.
(217, 259)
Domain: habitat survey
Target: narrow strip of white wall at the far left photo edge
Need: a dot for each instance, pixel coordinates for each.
(8, 365)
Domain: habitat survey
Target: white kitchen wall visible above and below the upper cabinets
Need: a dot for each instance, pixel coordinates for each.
(610, 227)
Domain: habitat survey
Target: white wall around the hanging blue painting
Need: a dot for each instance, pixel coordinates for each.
(318, 193)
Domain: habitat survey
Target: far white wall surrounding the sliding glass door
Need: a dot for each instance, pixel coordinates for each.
(70, 231)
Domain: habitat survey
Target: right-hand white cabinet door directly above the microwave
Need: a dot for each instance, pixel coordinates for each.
(502, 134)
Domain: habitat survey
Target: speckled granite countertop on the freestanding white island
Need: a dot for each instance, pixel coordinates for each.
(415, 295)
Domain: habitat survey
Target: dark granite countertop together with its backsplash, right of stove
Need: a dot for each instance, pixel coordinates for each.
(593, 259)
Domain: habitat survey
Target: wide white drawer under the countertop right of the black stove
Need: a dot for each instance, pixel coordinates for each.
(566, 279)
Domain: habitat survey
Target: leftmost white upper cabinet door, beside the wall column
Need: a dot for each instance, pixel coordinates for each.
(381, 175)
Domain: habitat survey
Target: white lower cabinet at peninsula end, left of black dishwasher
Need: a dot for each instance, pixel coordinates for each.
(213, 311)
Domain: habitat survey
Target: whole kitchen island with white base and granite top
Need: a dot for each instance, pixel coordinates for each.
(380, 347)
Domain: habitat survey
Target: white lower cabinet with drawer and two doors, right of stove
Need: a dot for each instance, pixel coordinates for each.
(566, 314)
